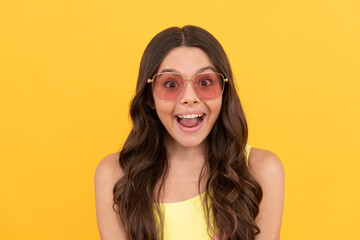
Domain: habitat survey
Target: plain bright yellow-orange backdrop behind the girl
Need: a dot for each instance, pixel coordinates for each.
(68, 71)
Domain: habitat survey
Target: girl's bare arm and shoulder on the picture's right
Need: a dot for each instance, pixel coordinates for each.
(268, 170)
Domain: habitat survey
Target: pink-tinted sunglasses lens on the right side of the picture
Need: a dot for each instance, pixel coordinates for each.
(209, 85)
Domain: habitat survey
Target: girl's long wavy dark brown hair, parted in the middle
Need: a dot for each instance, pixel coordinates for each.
(232, 195)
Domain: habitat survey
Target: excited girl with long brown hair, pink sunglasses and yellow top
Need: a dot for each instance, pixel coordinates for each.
(185, 170)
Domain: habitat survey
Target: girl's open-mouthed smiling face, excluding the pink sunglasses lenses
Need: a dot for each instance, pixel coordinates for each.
(188, 119)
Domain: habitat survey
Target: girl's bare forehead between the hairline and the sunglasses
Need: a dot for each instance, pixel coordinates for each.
(185, 60)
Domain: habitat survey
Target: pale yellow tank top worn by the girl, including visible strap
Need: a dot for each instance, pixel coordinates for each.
(186, 219)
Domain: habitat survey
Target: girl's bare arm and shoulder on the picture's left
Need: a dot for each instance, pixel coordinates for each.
(107, 173)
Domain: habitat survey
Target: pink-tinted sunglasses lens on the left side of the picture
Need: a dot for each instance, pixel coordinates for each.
(167, 86)
